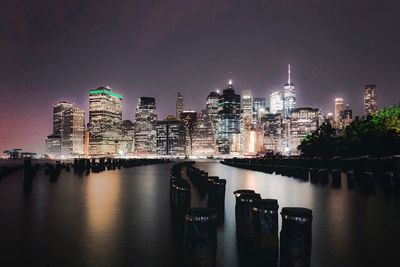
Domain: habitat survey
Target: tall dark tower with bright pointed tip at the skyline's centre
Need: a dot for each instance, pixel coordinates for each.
(228, 120)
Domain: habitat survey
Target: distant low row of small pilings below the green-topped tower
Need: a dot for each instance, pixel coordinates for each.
(82, 165)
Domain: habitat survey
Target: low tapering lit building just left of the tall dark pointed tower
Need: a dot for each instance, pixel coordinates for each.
(203, 139)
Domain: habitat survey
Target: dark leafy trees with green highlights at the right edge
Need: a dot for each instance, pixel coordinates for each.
(375, 135)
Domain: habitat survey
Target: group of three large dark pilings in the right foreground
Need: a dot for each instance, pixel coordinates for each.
(257, 232)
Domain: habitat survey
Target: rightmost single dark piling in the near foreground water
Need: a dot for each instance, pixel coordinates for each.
(295, 246)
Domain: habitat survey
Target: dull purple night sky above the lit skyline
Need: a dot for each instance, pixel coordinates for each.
(58, 50)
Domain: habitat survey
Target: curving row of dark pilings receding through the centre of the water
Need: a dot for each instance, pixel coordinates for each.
(196, 227)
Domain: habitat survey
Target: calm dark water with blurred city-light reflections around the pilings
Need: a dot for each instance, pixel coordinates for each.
(121, 218)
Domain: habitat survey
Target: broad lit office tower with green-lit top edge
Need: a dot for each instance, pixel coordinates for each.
(105, 118)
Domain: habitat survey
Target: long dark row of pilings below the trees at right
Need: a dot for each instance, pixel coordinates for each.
(362, 173)
